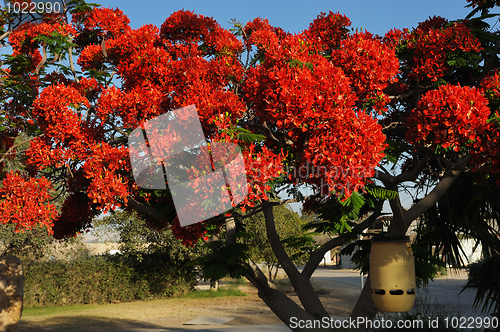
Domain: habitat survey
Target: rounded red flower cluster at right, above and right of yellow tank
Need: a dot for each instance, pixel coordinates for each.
(450, 116)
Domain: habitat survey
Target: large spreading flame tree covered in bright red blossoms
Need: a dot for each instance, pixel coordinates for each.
(353, 115)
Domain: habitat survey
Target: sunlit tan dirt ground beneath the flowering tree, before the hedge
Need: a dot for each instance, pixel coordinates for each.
(173, 313)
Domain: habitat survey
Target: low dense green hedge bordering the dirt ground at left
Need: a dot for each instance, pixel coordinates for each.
(104, 279)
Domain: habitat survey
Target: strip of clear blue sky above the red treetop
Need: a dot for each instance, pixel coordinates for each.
(294, 16)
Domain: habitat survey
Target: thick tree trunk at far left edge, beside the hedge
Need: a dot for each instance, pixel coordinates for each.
(11, 293)
